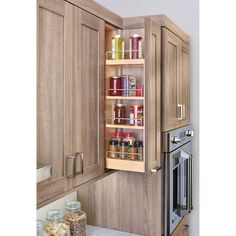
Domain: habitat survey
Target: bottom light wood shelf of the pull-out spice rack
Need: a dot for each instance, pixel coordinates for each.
(117, 164)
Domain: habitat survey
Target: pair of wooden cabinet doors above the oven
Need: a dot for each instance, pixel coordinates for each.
(175, 81)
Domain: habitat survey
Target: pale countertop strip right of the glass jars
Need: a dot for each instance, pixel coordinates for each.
(99, 231)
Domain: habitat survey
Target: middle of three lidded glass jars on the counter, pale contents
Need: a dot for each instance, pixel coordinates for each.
(56, 225)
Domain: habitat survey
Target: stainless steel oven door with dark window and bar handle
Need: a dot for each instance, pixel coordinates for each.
(179, 184)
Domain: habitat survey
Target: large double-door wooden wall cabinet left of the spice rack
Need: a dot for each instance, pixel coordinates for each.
(70, 91)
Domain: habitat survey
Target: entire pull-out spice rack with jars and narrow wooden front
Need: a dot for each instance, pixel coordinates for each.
(133, 95)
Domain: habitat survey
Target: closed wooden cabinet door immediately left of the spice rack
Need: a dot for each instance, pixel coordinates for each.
(88, 95)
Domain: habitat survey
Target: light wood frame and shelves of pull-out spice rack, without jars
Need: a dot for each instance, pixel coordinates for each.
(135, 68)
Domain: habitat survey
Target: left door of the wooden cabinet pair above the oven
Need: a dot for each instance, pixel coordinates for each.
(170, 77)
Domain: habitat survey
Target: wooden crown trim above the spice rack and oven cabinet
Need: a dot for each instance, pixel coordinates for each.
(163, 20)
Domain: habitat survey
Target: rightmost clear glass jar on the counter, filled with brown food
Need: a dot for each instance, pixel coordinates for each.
(76, 218)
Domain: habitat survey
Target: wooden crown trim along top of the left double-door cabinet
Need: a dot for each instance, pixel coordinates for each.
(99, 11)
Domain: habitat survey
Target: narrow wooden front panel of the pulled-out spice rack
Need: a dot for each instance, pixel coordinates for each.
(153, 95)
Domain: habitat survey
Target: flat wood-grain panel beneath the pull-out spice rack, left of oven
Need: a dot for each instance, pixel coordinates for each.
(124, 201)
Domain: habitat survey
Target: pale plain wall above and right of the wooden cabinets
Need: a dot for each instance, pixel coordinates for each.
(184, 13)
